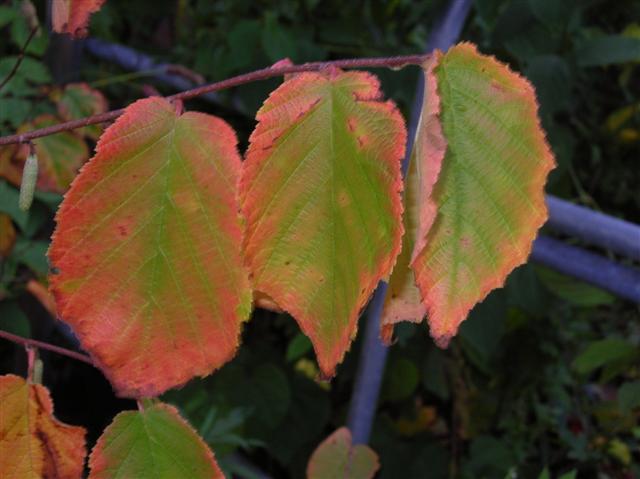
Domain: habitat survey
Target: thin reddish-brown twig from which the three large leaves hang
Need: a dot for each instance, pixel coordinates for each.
(263, 74)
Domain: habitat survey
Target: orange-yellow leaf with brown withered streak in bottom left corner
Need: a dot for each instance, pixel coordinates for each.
(33, 444)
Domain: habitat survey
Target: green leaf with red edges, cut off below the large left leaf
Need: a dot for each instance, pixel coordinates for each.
(154, 443)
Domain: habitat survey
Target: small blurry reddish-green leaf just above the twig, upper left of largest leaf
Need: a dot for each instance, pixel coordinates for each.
(79, 100)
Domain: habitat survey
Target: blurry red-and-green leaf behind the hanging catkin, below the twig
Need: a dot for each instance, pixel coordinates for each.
(60, 156)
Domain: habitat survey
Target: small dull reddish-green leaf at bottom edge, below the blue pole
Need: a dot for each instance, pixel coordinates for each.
(337, 457)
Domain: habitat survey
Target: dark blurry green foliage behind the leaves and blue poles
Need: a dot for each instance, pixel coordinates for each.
(544, 376)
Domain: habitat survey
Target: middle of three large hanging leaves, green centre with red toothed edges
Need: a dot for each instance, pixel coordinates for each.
(321, 196)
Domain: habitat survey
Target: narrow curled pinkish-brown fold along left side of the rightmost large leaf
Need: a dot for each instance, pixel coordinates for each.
(403, 301)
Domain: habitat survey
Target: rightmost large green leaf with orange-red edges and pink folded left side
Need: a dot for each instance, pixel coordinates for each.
(489, 195)
